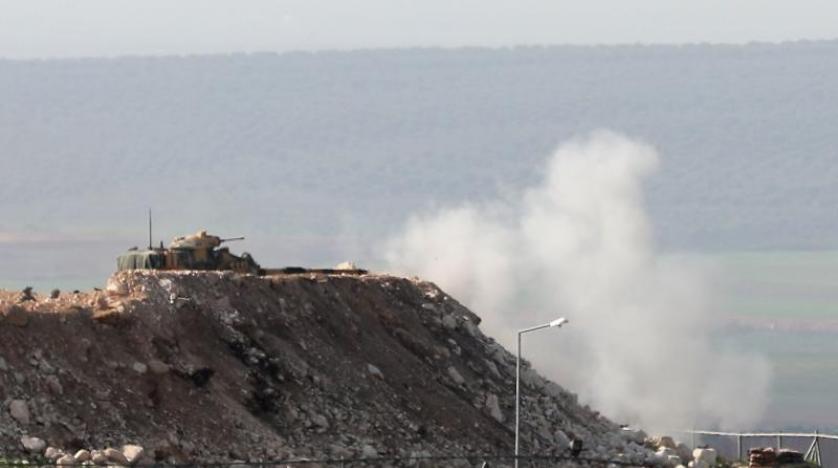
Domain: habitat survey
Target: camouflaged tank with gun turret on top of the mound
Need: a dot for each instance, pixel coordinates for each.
(199, 251)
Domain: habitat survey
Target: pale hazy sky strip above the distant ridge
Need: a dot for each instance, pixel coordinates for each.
(74, 28)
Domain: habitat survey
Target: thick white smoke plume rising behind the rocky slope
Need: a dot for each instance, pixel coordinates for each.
(580, 245)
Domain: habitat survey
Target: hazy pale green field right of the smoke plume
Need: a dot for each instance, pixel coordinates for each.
(797, 293)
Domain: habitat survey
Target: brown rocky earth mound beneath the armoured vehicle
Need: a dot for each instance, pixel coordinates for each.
(220, 366)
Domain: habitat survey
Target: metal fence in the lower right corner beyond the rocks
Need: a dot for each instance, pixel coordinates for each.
(820, 449)
